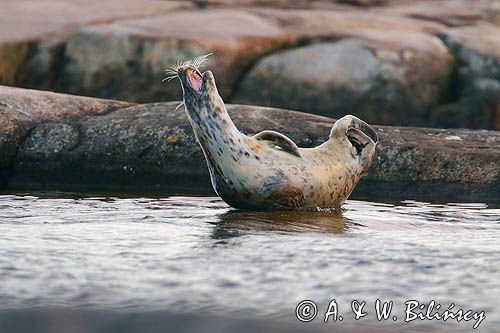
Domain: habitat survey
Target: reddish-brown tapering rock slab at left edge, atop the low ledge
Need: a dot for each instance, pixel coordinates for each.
(22, 109)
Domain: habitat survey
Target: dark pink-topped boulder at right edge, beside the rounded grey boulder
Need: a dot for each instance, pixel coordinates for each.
(477, 83)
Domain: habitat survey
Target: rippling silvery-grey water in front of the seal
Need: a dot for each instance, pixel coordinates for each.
(195, 255)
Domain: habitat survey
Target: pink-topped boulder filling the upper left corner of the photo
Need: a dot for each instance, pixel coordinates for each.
(30, 54)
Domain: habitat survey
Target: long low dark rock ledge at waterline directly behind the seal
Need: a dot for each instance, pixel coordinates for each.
(51, 140)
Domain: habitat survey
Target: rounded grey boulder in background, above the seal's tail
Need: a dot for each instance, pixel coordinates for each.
(372, 77)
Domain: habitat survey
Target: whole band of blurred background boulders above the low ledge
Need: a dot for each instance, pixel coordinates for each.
(433, 63)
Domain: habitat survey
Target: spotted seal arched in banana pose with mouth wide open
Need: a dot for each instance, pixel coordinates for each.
(268, 171)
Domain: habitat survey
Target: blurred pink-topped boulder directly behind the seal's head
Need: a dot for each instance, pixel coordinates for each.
(127, 58)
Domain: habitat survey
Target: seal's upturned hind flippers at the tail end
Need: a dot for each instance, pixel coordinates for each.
(357, 137)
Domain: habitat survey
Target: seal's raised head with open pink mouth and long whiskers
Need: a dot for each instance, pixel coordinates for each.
(200, 94)
